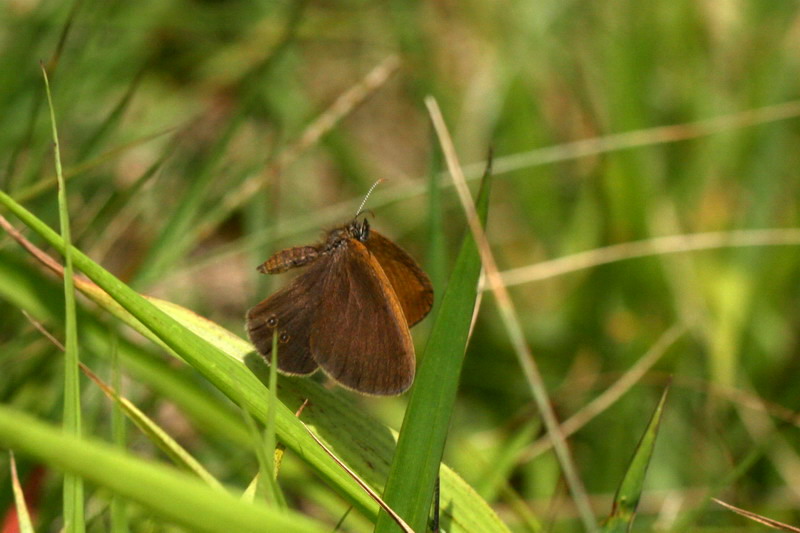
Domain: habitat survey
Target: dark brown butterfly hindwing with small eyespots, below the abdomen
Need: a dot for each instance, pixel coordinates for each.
(291, 310)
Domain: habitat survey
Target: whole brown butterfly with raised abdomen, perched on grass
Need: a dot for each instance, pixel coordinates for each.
(349, 313)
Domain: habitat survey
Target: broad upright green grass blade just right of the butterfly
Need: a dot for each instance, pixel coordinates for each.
(415, 466)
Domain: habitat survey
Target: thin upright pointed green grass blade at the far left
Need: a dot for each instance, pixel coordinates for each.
(73, 485)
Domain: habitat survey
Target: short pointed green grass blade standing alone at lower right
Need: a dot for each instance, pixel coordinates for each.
(630, 490)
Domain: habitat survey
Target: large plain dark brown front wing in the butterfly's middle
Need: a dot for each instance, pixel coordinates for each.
(359, 335)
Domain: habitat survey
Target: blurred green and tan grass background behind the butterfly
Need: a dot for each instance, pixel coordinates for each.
(198, 137)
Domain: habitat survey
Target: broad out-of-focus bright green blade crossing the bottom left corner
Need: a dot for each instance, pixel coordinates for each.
(166, 491)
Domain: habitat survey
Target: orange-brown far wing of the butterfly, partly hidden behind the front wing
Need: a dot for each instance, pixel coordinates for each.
(411, 285)
